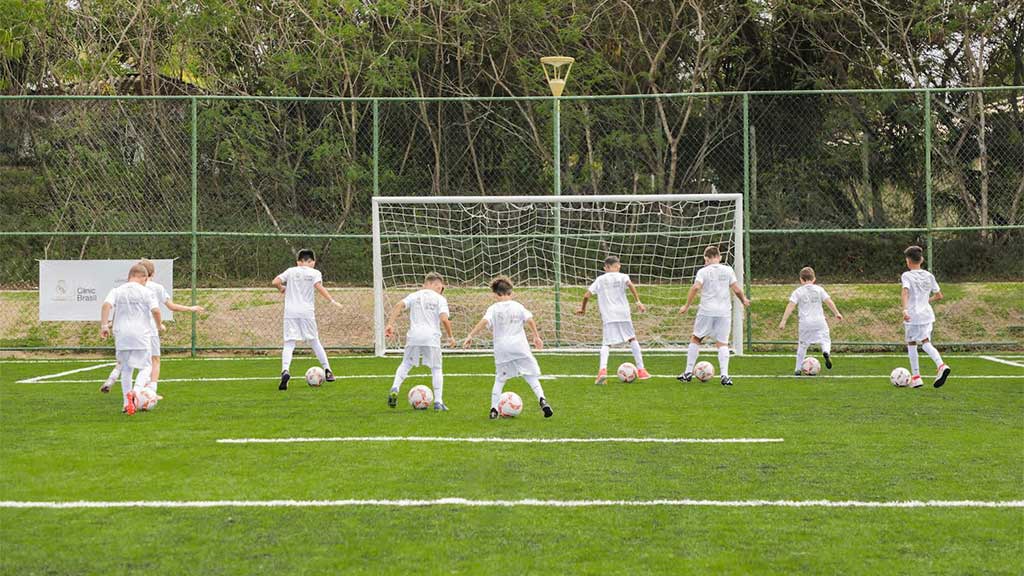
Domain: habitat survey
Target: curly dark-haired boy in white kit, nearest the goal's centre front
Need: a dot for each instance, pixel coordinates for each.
(506, 319)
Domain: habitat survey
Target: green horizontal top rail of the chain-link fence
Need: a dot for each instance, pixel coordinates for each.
(931, 90)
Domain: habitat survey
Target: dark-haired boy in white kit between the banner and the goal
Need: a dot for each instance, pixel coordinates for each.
(301, 285)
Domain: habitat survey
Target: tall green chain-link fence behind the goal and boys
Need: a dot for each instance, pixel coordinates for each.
(233, 187)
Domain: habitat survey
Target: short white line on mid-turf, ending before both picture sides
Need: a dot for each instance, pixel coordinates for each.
(503, 440)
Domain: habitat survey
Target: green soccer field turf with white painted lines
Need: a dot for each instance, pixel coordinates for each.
(848, 475)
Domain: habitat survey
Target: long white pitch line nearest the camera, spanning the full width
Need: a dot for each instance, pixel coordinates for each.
(515, 504)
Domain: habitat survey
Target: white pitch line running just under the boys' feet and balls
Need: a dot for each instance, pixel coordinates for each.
(548, 378)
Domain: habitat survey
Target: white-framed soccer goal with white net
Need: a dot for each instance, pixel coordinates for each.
(553, 249)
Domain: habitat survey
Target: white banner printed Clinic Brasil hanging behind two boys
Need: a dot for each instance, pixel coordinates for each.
(74, 291)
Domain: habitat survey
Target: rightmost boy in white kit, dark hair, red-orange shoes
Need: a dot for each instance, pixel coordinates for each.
(920, 291)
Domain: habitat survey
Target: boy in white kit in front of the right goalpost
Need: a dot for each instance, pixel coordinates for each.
(717, 283)
